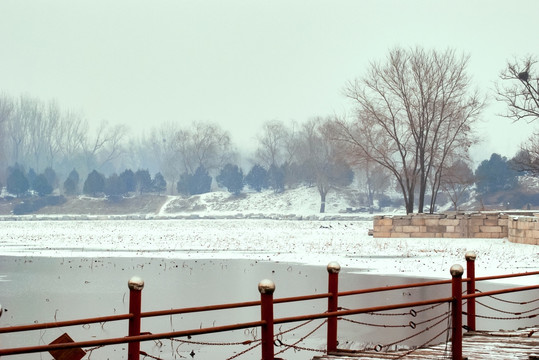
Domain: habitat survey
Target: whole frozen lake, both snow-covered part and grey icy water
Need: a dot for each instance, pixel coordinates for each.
(53, 271)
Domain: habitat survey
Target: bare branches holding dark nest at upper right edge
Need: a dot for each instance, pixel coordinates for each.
(520, 89)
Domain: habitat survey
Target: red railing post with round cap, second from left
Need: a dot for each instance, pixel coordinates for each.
(266, 288)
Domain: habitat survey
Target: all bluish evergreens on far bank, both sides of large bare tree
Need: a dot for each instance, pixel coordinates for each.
(492, 176)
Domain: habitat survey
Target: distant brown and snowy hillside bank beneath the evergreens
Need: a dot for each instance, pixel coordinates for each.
(300, 201)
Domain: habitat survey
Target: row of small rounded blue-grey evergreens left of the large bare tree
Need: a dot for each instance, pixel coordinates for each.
(231, 177)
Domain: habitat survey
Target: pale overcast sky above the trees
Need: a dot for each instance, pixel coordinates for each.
(241, 63)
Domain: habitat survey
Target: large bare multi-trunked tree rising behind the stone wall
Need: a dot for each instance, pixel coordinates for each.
(413, 111)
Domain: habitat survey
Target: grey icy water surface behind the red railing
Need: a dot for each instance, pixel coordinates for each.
(44, 289)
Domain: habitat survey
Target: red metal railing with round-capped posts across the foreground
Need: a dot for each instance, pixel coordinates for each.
(267, 322)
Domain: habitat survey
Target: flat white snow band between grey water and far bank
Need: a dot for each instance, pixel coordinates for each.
(308, 242)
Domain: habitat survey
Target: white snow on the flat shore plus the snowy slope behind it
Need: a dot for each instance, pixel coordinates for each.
(218, 232)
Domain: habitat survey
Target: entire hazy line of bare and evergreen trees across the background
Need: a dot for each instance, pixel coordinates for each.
(411, 129)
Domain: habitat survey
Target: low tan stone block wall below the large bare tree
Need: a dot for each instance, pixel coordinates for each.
(522, 229)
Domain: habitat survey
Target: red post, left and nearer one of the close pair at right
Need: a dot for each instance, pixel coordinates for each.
(456, 290)
